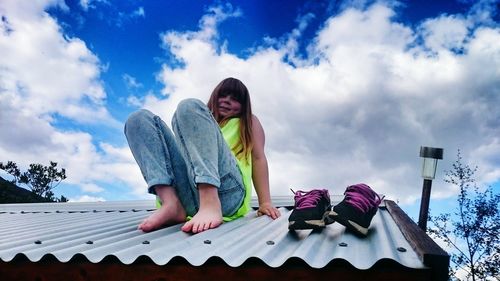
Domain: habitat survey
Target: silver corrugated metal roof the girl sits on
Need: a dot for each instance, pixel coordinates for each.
(99, 230)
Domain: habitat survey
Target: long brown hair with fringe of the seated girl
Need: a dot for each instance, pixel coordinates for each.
(236, 89)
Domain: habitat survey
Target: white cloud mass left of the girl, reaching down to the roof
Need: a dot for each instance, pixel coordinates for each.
(45, 77)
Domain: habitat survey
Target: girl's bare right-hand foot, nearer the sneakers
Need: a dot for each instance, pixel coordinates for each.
(210, 213)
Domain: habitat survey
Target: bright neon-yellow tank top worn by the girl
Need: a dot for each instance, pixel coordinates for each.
(231, 133)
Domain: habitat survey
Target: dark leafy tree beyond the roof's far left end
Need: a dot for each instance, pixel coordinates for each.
(39, 178)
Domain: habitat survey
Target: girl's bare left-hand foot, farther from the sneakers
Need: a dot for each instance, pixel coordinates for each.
(170, 213)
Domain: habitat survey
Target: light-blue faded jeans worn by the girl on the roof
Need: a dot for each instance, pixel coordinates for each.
(196, 154)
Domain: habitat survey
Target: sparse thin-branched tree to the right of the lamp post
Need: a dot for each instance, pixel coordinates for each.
(473, 230)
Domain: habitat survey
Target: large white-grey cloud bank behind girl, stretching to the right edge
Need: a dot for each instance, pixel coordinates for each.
(361, 103)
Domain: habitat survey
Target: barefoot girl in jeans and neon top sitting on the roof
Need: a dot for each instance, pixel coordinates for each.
(206, 169)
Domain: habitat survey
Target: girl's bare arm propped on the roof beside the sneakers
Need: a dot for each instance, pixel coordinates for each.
(260, 172)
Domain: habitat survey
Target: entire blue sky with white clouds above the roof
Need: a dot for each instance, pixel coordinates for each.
(347, 91)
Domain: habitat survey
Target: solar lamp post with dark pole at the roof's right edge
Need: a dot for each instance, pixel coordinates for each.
(430, 157)
